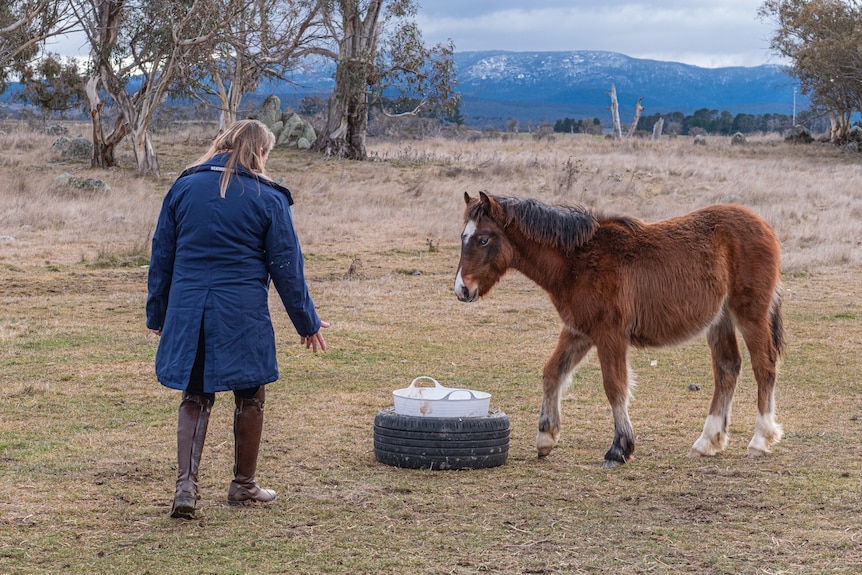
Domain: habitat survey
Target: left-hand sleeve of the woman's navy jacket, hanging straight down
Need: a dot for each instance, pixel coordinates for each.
(161, 267)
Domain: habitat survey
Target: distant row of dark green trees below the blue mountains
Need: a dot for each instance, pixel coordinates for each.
(703, 121)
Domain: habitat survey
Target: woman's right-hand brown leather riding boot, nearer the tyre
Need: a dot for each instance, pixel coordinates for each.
(247, 429)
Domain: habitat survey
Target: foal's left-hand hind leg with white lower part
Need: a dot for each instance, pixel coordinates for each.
(726, 363)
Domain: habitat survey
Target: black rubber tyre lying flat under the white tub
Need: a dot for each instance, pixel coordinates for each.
(415, 442)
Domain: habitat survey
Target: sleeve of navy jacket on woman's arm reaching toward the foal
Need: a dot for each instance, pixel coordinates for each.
(286, 267)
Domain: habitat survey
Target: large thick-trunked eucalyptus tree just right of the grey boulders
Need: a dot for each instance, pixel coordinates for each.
(378, 48)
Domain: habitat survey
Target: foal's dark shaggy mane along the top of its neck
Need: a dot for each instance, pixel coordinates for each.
(565, 227)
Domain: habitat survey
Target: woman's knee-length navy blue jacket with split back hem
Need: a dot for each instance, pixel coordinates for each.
(211, 264)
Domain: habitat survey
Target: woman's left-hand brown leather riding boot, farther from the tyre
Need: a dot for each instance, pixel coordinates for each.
(194, 415)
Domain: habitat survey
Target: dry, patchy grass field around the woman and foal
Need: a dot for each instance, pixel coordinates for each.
(87, 435)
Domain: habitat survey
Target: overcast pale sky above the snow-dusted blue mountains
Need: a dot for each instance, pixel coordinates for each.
(707, 33)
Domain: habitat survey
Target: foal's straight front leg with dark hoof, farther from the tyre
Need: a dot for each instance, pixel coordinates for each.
(615, 378)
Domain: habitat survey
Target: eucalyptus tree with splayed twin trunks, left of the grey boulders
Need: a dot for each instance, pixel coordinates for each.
(141, 52)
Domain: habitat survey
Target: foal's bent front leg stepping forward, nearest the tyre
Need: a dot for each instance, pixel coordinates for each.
(571, 349)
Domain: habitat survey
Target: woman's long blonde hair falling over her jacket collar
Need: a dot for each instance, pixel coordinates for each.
(248, 141)
